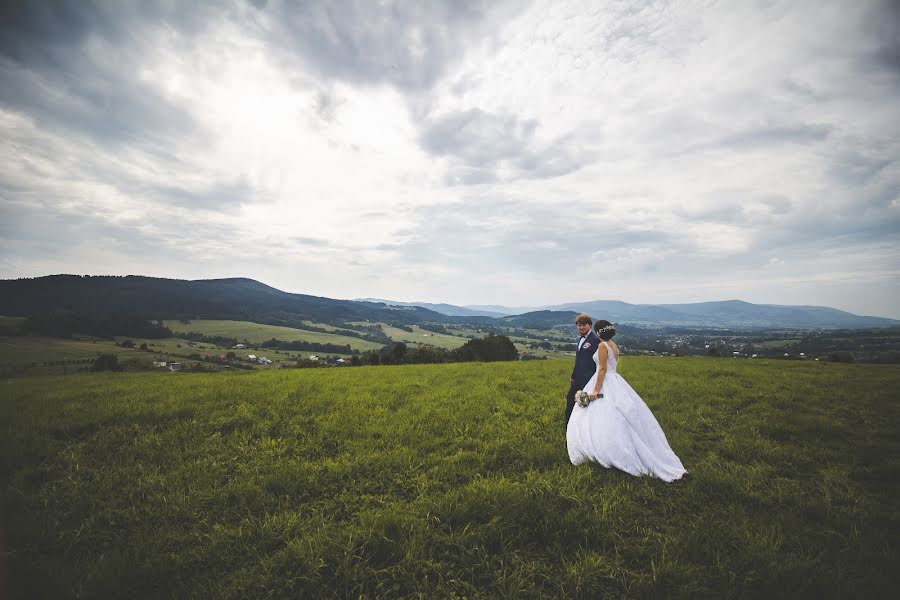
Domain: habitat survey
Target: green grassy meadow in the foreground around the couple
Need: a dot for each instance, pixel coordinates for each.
(441, 481)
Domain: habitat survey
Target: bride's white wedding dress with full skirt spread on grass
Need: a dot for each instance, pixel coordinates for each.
(619, 430)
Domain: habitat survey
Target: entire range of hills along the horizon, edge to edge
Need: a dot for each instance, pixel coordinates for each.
(246, 299)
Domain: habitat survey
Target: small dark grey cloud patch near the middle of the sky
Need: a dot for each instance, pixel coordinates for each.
(481, 144)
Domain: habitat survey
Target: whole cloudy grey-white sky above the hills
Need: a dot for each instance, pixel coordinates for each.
(511, 153)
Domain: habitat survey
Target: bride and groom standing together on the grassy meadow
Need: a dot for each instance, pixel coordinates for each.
(615, 428)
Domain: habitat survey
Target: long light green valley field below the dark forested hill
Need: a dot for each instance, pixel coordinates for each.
(257, 332)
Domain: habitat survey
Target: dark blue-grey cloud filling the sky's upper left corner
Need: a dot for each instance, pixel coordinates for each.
(73, 66)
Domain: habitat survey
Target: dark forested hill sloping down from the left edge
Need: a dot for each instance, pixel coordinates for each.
(154, 298)
